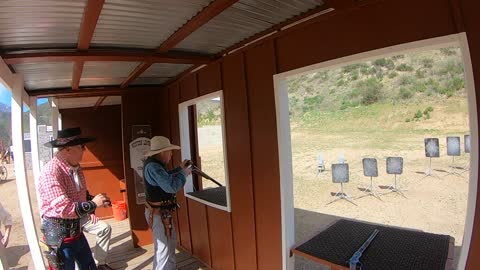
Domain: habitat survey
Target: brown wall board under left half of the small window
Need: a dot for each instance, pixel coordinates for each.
(199, 230)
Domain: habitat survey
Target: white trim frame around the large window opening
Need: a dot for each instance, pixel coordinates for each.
(284, 140)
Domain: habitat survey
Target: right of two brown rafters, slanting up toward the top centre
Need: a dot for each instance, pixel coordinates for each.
(202, 17)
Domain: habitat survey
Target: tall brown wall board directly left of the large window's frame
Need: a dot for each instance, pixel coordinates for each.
(260, 68)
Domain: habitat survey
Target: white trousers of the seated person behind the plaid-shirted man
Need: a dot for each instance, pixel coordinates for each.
(103, 231)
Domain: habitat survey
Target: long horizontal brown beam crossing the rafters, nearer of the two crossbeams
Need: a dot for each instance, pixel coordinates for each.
(177, 58)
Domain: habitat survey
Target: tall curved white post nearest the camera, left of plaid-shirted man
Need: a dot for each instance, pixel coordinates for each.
(20, 172)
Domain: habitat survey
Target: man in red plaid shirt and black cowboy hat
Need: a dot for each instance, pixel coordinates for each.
(63, 194)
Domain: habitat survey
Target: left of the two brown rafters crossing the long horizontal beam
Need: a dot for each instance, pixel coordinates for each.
(91, 14)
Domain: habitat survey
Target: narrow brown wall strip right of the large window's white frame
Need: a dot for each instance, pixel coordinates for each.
(469, 9)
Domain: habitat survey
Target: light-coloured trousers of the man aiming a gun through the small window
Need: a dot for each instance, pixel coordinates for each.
(164, 258)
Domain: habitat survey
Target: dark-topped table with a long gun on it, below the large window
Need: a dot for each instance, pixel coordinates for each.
(393, 247)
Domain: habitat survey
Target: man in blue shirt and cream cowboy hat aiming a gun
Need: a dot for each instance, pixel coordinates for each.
(161, 185)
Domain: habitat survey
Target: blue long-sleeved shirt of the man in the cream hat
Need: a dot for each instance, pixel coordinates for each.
(170, 181)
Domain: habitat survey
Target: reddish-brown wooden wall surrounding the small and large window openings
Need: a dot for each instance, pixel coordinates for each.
(250, 236)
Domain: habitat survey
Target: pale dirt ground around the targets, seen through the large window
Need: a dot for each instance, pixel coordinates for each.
(435, 204)
